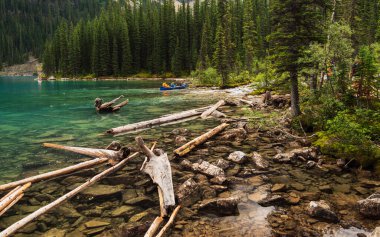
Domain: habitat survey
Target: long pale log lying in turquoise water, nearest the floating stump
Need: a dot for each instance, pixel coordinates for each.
(155, 122)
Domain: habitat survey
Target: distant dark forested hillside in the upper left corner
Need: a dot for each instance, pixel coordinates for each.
(26, 24)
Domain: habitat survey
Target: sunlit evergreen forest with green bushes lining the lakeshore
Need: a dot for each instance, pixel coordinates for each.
(326, 53)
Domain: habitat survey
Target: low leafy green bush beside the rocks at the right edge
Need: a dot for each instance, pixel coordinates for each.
(347, 138)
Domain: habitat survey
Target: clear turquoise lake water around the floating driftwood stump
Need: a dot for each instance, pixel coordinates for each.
(63, 112)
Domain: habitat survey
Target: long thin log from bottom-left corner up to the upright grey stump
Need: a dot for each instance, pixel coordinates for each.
(21, 223)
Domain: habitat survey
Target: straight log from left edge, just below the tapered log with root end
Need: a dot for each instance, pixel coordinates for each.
(56, 173)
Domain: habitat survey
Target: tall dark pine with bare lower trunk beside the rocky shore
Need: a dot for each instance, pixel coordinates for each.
(296, 23)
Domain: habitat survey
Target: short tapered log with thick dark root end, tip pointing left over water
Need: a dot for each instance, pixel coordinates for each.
(110, 154)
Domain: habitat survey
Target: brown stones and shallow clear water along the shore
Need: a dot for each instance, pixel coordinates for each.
(249, 180)
